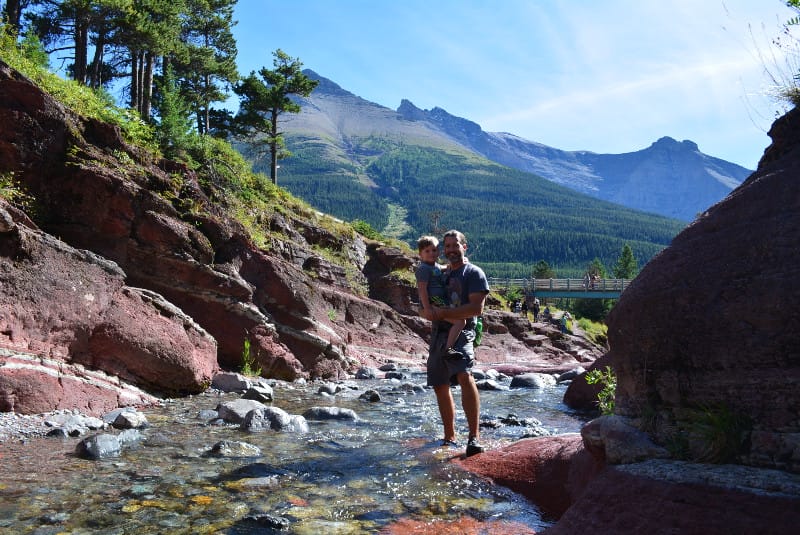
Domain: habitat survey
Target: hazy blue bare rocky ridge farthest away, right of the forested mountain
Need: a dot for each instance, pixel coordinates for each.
(668, 178)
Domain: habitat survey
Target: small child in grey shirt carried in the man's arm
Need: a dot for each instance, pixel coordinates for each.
(432, 289)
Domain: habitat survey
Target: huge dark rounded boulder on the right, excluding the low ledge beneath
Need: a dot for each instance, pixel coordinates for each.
(712, 324)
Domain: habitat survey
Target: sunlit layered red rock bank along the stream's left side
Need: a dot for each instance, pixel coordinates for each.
(132, 270)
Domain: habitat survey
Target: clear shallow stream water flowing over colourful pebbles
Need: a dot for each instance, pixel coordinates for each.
(341, 477)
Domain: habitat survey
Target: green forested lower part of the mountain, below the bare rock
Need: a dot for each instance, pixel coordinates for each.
(512, 219)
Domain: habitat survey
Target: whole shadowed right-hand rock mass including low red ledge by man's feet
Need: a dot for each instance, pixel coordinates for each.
(704, 344)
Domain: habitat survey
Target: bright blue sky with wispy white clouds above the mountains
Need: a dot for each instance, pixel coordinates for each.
(608, 77)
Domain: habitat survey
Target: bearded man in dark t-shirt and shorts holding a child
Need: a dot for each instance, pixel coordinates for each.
(467, 287)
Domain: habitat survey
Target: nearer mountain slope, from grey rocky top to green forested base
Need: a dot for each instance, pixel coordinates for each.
(358, 160)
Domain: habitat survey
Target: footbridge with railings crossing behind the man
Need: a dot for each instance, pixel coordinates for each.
(568, 288)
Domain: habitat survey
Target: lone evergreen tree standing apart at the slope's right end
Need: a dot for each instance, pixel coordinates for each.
(265, 98)
